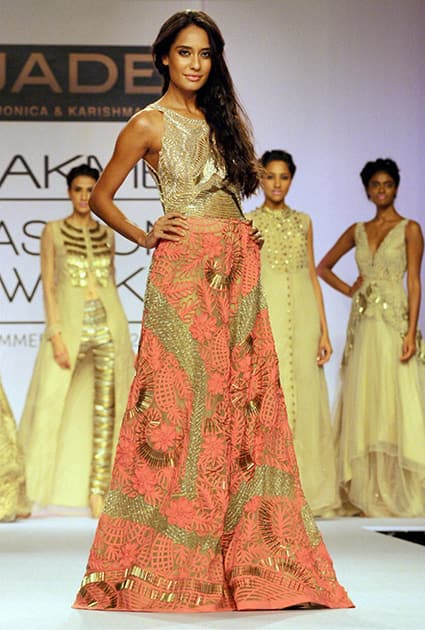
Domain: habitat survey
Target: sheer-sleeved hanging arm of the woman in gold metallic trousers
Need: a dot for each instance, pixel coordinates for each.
(54, 328)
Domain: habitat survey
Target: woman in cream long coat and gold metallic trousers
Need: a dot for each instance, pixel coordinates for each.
(83, 370)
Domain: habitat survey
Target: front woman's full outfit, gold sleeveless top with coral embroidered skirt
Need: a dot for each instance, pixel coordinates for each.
(205, 510)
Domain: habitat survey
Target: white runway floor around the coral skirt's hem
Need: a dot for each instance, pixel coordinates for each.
(43, 559)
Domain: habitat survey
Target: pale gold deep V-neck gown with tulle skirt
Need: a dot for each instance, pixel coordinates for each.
(380, 414)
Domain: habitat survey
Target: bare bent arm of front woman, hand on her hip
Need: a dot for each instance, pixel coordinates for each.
(140, 138)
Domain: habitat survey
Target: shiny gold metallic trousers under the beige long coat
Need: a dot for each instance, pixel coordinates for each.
(96, 339)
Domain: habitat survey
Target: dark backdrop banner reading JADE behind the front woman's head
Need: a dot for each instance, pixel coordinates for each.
(83, 83)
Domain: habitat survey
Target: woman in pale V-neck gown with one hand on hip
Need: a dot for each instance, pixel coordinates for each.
(380, 414)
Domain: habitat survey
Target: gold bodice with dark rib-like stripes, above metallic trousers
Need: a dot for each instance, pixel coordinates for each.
(88, 254)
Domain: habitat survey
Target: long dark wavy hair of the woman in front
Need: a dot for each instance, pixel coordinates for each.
(217, 99)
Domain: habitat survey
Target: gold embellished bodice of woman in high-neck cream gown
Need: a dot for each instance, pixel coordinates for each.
(285, 237)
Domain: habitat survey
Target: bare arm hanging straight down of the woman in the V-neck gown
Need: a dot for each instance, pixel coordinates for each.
(414, 250)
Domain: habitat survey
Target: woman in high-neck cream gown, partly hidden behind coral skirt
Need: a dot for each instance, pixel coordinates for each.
(299, 328)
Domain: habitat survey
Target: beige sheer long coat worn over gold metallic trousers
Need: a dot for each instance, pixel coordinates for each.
(56, 427)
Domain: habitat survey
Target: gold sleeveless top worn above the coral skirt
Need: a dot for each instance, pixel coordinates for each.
(191, 175)
